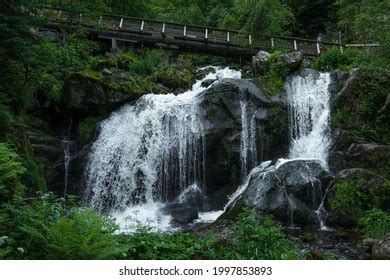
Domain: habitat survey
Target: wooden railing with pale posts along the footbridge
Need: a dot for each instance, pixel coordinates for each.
(164, 29)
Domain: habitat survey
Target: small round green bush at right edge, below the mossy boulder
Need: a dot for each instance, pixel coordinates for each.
(375, 223)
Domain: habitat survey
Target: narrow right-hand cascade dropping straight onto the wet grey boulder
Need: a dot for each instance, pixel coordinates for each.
(308, 105)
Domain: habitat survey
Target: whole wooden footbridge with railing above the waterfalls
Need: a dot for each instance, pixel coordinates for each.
(184, 37)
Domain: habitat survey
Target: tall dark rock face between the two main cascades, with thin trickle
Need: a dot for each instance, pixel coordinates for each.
(229, 107)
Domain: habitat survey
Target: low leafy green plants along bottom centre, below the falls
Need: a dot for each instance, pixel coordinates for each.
(248, 240)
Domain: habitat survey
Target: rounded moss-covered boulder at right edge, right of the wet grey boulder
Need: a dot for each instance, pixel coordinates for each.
(353, 191)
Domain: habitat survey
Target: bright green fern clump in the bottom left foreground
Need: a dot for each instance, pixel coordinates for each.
(52, 228)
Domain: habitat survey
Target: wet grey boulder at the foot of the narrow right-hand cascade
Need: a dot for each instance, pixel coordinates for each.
(290, 190)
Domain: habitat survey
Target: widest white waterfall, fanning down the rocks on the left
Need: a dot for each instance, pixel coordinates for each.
(148, 153)
